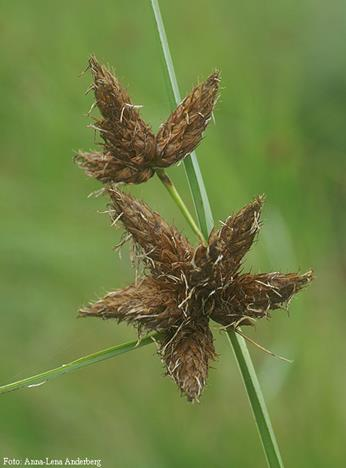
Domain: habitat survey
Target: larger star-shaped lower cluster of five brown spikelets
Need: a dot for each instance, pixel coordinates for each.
(183, 289)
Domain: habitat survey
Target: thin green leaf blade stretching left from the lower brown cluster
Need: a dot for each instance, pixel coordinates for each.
(84, 361)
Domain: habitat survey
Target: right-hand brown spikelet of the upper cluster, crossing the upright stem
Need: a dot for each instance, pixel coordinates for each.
(183, 130)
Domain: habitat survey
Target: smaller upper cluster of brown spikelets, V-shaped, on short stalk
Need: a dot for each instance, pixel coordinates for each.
(131, 152)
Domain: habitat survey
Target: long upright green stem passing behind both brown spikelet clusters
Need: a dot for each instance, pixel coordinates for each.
(205, 219)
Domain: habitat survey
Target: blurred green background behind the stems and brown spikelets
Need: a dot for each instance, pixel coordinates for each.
(280, 130)
